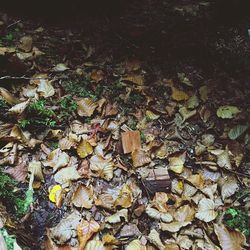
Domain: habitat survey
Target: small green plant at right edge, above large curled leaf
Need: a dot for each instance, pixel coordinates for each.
(238, 219)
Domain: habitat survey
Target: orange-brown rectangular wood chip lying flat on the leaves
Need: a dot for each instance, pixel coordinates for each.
(131, 141)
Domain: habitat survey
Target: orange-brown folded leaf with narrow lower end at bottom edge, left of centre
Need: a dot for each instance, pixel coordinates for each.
(85, 230)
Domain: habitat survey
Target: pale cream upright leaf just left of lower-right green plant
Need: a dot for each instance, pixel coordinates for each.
(206, 210)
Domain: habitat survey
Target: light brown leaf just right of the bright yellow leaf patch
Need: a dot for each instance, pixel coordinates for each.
(83, 197)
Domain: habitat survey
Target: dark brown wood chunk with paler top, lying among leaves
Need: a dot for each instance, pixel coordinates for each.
(158, 180)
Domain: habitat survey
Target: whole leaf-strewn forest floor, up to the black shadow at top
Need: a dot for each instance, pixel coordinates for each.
(107, 143)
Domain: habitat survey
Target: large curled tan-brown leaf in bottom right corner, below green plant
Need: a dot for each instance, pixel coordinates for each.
(229, 239)
